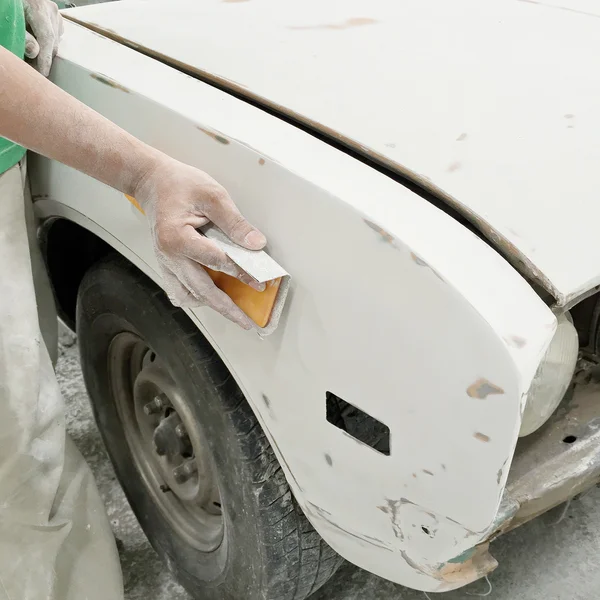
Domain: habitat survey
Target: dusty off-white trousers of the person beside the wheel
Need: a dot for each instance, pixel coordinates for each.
(55, 538)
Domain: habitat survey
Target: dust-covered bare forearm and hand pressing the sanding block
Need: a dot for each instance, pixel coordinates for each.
(176, 198)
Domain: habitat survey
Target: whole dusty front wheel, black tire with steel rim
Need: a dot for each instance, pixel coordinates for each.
(267, 550)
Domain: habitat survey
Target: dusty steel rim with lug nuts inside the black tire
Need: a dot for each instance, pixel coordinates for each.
(168, 447)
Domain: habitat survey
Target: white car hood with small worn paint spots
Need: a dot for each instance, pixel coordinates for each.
(492, 106)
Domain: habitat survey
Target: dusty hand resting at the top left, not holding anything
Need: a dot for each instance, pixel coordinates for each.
(46, 25)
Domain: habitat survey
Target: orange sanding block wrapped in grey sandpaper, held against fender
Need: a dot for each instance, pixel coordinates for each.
(264, 308)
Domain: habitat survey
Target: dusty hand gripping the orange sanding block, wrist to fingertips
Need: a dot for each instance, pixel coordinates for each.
(179, 199)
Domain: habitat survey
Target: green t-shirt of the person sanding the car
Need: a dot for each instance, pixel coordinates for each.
(12, 37)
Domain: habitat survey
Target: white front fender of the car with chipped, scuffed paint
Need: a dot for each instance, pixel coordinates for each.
(393, 306)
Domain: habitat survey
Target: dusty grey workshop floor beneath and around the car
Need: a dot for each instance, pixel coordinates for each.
(545, 559)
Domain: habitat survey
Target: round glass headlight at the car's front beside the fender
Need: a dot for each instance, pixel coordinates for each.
(552, 377)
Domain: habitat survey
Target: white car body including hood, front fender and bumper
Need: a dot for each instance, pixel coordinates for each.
(423, 172)
